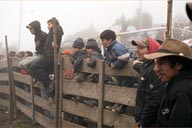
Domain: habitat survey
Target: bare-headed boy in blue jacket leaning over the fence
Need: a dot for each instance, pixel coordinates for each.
(116, 57)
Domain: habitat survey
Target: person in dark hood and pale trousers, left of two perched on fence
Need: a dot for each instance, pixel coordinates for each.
(40, 39)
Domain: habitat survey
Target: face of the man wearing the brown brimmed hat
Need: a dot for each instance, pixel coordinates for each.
(165, 71)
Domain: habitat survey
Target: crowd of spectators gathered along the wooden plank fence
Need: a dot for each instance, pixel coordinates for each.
(163, 98)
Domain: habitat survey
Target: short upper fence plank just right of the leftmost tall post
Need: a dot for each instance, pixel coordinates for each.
(22, 78)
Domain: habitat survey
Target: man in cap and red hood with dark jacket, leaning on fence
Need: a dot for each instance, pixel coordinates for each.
(151, 90)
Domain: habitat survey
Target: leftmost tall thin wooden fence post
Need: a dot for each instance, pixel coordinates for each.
(12, 99)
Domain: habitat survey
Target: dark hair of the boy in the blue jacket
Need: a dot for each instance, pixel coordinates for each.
(108, 34)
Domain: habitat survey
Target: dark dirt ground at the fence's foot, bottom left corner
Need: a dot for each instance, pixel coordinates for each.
(21, 121)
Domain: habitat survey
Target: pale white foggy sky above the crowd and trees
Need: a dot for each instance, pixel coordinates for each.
(73, 15)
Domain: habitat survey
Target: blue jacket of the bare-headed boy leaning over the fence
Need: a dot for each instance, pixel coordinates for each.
(113, 51)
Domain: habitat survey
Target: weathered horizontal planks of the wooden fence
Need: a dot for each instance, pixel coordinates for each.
(101, 92)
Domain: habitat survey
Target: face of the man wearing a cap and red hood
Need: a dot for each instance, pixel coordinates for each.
(141, 51)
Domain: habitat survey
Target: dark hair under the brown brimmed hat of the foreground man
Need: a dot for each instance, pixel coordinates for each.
(186, 63)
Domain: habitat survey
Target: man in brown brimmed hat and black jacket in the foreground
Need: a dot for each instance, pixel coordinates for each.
(173, 67)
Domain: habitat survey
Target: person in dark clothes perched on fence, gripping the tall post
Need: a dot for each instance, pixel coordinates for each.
(44, 65)
